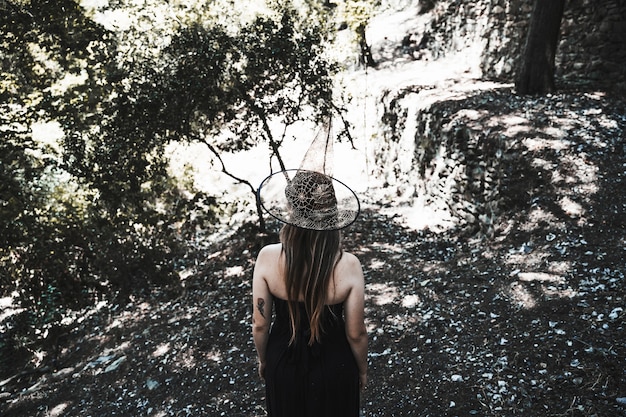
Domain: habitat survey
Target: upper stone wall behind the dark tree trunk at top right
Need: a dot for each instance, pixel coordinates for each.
(592, 48)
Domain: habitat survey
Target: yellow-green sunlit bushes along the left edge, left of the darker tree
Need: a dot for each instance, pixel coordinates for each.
(98, 216)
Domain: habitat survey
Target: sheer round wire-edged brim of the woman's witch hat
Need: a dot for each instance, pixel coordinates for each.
(271, 196)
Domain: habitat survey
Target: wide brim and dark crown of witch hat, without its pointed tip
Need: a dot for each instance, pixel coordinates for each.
(309, 200)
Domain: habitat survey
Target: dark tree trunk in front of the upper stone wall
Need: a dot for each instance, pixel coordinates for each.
(536, 71)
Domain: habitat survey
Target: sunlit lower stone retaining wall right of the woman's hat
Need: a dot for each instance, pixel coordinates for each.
(447, 157)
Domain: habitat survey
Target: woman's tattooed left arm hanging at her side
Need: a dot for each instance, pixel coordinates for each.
(262, 303)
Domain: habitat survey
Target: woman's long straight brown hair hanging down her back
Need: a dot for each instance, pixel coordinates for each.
(310, 258)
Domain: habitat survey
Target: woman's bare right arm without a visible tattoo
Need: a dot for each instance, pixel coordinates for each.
(356, 331)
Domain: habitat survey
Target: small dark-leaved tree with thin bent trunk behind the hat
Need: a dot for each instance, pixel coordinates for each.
(225, 90)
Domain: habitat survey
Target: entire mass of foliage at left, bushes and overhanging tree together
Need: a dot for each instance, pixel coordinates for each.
(93, 214)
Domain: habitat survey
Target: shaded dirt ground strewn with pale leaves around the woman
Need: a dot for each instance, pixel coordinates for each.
(529, 321)
